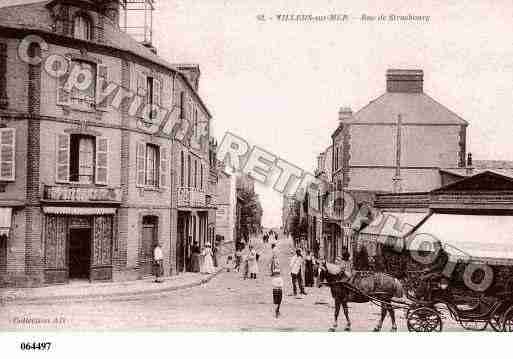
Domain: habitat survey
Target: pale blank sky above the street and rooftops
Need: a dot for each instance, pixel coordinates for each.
(279, 85)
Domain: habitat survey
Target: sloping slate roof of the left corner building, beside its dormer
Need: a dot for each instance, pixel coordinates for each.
(35, 16)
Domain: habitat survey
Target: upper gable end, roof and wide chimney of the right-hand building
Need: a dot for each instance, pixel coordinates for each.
(377, 148)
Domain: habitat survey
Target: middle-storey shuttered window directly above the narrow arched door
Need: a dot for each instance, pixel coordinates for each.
(151, 165)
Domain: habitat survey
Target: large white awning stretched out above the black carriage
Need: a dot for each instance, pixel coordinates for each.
(477, 238)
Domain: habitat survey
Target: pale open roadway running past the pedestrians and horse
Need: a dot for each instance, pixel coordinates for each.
(227, 302)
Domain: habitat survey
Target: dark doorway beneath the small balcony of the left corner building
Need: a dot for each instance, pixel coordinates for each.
(79, 262)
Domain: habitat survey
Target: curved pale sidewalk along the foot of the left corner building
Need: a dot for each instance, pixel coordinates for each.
(86, 291)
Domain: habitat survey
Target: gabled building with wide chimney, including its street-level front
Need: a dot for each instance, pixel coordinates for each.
(376, 150)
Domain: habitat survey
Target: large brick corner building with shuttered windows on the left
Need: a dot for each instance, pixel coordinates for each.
(92, 176)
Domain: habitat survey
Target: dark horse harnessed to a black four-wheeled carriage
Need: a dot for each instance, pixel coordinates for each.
(427, 302)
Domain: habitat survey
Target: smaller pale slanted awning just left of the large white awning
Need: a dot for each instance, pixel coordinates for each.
(393, 224)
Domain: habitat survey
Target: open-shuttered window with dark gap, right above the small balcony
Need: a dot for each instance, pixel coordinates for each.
(82, 159)
